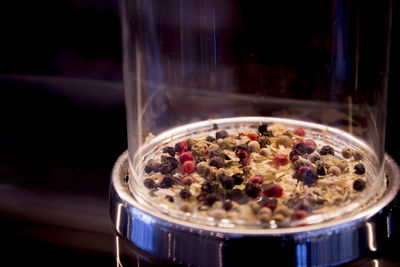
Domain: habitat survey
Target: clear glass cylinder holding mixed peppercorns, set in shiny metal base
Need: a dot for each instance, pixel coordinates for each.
(256, 114)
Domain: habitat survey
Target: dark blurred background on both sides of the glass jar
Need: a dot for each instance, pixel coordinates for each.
(63, 126)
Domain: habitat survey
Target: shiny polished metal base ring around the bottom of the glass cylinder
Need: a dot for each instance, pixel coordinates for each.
(325, 244)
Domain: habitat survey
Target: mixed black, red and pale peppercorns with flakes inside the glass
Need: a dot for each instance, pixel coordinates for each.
(271, 174)
